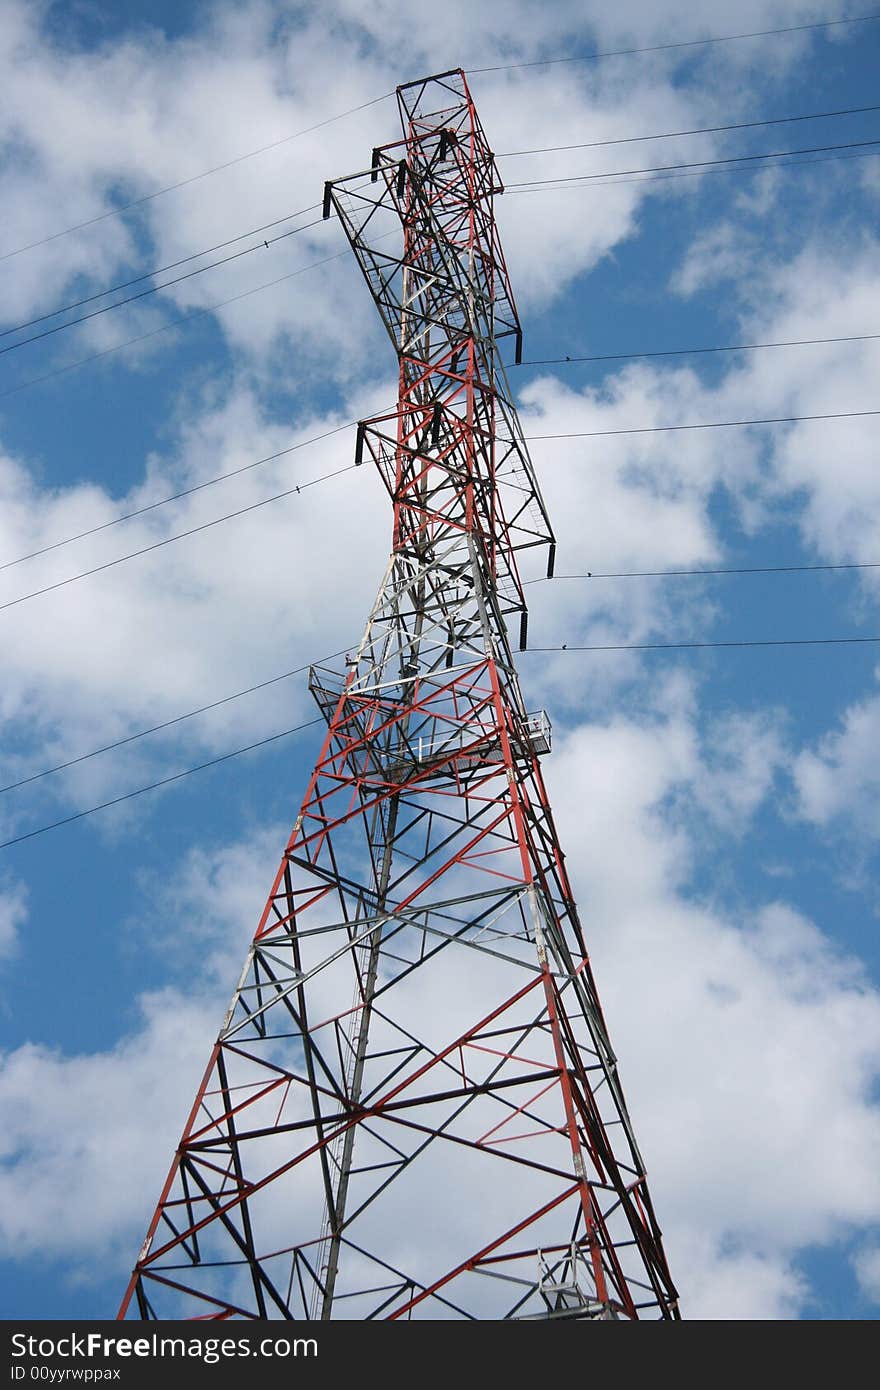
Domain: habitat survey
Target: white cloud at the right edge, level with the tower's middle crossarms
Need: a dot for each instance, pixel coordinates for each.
(818, 288)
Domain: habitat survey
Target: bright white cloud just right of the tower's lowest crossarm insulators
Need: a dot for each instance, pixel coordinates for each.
(618, 505)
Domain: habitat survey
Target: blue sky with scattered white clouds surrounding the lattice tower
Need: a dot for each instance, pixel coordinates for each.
(719, 810)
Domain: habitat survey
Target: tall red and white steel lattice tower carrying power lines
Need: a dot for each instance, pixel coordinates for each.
(414, 1109)
